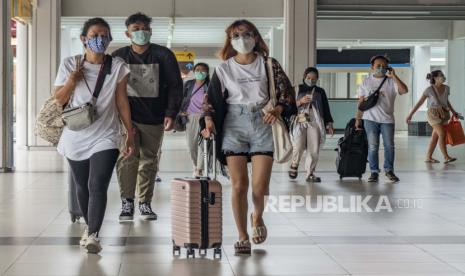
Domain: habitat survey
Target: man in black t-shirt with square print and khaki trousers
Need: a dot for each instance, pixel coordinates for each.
(155, 95)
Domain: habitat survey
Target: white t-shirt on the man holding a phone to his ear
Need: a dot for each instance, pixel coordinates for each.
(383, 111)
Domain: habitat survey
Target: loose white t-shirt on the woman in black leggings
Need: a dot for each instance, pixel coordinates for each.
(104, 133)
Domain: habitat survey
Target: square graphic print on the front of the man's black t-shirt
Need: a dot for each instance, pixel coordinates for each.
(144, 80)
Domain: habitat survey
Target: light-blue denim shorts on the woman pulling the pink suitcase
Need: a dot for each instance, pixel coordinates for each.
(245, 133)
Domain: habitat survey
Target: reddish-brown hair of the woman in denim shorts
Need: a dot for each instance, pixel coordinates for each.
(228, 51)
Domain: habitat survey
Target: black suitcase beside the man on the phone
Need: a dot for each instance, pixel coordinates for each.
(352, 152)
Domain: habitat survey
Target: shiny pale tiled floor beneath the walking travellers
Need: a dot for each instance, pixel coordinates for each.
(37, 237)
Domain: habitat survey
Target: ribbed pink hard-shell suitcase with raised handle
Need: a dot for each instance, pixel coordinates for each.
(196, 213)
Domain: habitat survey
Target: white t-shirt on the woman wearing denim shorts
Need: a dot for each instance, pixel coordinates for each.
(246, 84)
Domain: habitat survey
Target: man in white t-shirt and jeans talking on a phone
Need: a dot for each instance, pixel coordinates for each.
(379, 120)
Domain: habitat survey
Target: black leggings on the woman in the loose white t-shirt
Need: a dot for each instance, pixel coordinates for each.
(92, 177)
